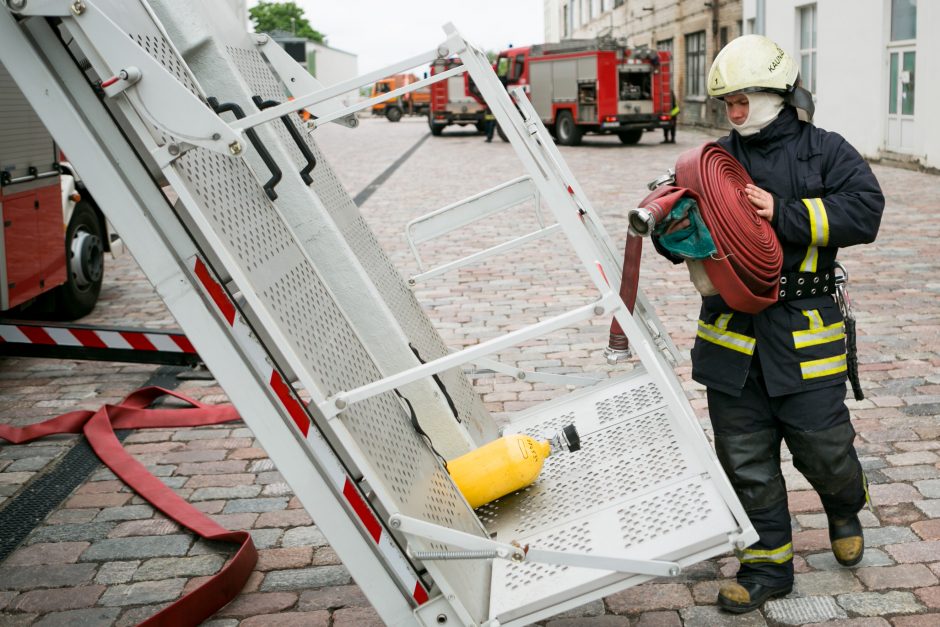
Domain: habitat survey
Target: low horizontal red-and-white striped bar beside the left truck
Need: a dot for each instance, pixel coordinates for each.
(95, 338)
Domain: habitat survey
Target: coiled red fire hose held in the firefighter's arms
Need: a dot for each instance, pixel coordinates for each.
(746, 267)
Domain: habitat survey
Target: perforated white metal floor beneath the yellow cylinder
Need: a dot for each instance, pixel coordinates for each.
(636, 489)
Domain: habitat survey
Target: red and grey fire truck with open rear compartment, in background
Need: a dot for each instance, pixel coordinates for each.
(592, 86)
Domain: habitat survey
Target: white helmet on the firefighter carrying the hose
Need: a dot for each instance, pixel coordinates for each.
(754, 63)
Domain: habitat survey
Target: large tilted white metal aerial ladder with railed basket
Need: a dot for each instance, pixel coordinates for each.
(186, 131)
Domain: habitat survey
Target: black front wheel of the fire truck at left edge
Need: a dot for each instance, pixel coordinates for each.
(84, 252)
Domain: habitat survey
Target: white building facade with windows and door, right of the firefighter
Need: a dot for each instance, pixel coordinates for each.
(862, 69)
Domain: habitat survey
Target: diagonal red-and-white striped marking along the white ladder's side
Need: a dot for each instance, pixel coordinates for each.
(295, 407)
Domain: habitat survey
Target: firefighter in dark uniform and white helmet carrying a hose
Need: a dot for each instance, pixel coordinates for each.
(780, 375)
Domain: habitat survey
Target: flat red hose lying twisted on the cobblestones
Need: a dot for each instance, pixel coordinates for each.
(131, 413)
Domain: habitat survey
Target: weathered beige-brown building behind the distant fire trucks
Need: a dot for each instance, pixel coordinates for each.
(693, 30)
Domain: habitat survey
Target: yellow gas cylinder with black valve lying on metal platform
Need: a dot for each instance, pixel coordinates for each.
(507, 464)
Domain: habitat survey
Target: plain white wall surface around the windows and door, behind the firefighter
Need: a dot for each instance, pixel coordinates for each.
(852, 75)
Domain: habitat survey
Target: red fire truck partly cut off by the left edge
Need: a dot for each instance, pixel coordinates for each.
(54, 235)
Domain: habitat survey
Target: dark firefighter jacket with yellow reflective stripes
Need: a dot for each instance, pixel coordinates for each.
(826, 197)
